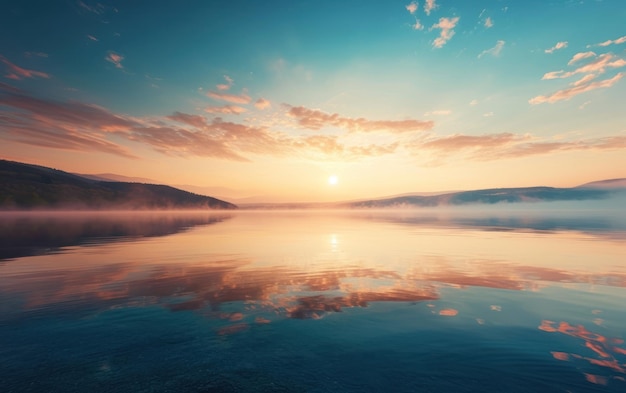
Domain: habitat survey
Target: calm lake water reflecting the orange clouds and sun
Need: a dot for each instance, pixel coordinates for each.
(313, 302)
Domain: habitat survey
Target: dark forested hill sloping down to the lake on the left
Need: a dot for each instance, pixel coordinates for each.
(25, 186)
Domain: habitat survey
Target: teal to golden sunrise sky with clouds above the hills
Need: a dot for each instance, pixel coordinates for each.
(324, 100)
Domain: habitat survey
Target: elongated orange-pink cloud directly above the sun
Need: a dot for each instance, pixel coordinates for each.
(315, 119)
